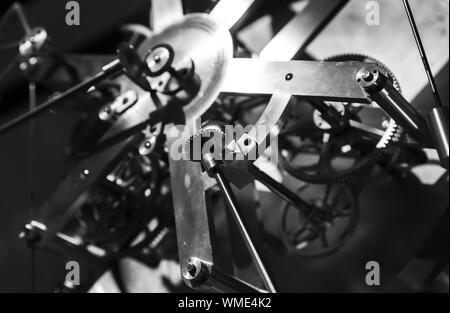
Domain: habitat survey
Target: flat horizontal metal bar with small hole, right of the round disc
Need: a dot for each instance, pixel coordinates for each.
(322, 80)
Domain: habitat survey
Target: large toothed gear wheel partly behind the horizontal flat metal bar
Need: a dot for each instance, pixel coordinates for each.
(365, 163)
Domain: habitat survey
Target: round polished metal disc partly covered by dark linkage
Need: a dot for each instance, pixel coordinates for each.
(208, 45)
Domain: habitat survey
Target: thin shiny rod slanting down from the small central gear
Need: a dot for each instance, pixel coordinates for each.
(232, 204)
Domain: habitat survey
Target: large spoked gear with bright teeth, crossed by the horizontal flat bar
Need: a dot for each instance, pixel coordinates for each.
(315, 173)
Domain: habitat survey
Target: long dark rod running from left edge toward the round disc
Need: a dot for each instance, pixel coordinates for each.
(108, 71)
